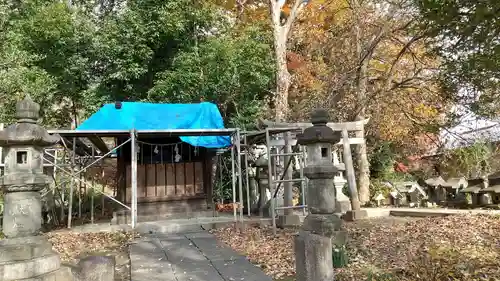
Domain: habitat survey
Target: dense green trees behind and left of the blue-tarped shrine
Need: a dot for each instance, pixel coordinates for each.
(72, 59)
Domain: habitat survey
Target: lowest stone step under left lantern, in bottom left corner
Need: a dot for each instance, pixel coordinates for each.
(19, 270)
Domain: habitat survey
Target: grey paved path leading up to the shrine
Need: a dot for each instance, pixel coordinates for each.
(189, 256)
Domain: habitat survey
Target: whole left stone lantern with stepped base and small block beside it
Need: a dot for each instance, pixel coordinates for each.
(25, 254)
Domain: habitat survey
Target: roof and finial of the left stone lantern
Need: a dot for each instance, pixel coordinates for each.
(26, 131)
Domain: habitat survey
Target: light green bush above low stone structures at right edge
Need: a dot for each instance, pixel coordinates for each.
(472, 161)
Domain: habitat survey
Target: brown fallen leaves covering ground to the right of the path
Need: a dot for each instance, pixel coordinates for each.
(406, 249)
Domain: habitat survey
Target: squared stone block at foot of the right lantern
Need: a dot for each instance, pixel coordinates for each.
(313, 257)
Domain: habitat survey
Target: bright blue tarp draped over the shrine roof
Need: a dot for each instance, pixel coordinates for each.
(161, 116)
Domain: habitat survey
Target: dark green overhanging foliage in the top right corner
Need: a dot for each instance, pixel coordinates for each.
(465, 35)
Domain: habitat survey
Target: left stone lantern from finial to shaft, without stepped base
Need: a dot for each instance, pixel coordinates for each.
(24, 143)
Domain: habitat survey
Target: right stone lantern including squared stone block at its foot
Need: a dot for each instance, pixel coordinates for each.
(321, 228)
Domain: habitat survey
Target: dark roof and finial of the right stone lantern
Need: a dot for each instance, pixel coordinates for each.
(319, 132)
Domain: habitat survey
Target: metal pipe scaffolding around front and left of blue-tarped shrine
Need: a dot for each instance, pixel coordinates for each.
(97, 151)
